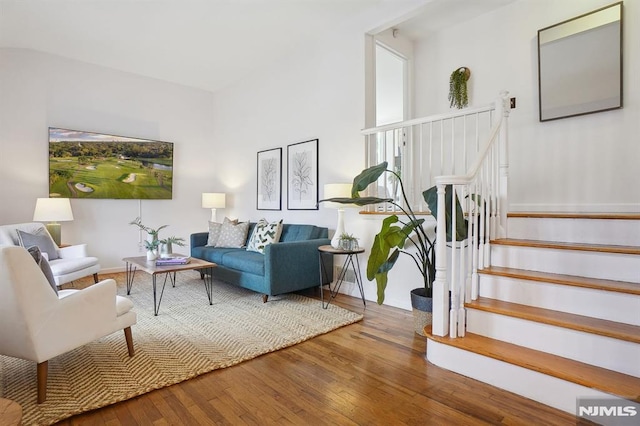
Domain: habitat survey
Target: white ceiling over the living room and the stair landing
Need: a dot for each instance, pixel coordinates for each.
(206, 44)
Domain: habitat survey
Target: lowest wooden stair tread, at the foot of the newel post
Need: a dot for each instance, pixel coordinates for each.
(587, 375)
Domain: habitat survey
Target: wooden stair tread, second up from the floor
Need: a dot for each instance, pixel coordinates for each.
(616, 330)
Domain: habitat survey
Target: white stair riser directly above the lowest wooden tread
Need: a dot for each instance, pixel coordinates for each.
(605, 352)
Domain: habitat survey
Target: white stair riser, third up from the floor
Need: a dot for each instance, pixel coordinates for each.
(612, 306)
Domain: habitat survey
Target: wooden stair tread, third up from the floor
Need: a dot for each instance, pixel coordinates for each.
(569, 280)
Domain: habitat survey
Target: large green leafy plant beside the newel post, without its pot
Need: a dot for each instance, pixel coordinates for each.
(398, 233)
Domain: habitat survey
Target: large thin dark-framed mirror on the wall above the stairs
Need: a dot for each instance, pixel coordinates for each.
(580, 64)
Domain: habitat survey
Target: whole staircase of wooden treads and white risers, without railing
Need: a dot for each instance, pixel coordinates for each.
(558, 312)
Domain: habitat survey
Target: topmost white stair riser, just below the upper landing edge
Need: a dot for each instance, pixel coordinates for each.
(590, 231)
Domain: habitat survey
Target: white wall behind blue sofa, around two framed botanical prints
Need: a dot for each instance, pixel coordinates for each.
(318, 93)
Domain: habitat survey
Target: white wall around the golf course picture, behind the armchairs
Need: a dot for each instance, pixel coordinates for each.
(39, 90)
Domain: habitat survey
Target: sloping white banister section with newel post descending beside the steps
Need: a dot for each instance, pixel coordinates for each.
(482, 192)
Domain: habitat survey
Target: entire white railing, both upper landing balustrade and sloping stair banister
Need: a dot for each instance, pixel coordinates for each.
(468, 151)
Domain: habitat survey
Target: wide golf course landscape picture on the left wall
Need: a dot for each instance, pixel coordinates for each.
(96, 165)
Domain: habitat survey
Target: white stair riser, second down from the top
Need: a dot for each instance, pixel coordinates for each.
(611, 266)
